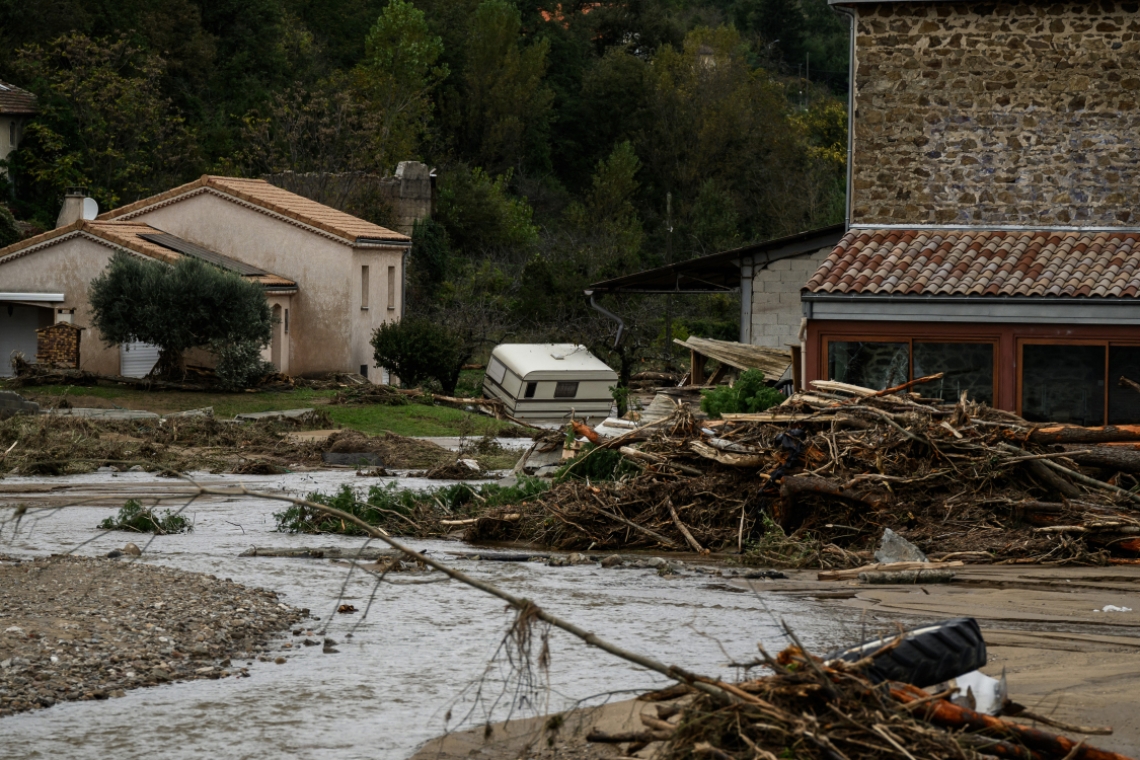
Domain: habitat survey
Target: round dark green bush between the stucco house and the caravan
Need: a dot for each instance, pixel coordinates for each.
(418, 350)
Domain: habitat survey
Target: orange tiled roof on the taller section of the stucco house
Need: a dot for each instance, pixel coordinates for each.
(271, 198)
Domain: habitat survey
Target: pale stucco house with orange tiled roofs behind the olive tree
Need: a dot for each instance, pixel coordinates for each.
(331, 279)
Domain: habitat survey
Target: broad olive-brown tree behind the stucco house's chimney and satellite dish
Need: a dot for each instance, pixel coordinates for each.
(103, 125)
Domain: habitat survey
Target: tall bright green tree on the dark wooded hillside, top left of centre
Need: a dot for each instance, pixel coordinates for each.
(396, 79)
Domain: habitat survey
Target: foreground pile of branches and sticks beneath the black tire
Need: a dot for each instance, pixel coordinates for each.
(811, 709)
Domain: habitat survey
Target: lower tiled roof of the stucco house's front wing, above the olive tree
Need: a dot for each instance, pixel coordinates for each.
(141, 239)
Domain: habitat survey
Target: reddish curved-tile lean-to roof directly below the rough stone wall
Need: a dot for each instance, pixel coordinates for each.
(982, 264)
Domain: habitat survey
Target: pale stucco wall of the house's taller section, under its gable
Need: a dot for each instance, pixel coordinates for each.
(330, 332)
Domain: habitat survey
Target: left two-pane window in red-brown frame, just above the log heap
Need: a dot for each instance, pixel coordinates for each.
(891, 362)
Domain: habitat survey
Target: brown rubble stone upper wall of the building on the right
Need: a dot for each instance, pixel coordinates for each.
(998, 113)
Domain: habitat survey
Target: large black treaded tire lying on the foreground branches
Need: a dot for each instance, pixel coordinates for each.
(929, 656)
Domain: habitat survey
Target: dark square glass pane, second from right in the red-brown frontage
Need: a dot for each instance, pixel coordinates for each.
(1064, 385)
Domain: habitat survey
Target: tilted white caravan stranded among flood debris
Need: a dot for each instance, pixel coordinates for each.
(549, 381)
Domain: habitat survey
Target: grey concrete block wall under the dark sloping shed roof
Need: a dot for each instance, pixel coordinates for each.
(777, 309)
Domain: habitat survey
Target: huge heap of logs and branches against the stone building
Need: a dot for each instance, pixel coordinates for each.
(817, 480)
